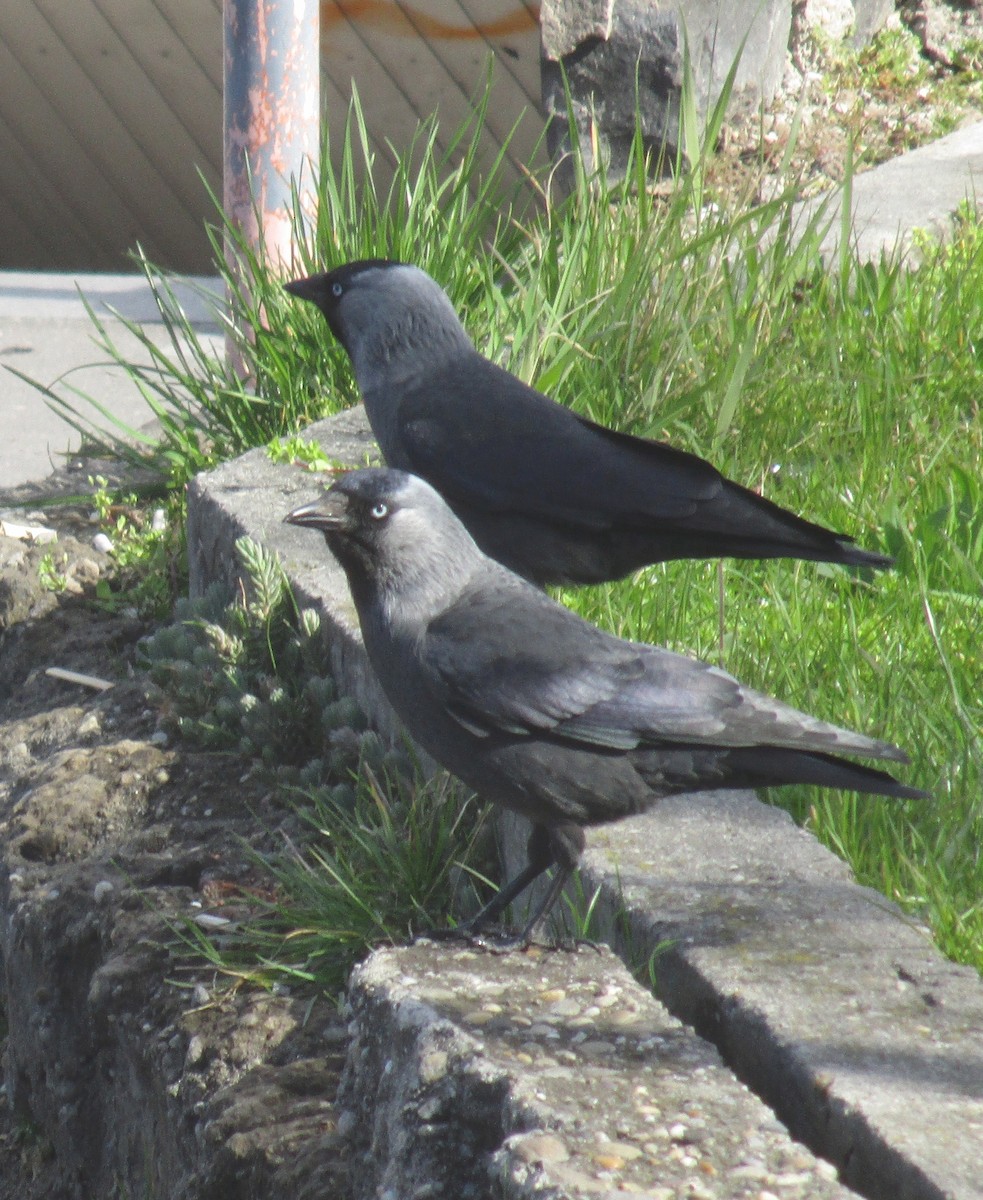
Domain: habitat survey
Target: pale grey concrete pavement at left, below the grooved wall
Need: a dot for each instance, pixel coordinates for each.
(47, 335)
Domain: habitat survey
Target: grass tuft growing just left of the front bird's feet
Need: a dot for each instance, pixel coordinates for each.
(392, 865)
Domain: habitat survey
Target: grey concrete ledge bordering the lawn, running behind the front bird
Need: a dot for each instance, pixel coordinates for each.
(820, 994)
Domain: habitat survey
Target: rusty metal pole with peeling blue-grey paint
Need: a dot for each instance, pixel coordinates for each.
(272, 119)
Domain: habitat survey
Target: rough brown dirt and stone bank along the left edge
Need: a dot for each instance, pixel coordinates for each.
(110, 833)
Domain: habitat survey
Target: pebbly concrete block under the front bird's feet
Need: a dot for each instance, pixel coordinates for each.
(543, 1075)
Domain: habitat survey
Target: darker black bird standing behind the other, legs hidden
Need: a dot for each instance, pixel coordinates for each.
(552, 495)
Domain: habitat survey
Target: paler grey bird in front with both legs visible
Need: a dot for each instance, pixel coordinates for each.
(536, 709)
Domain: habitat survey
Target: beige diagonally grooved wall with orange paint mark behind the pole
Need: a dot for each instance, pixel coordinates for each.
(111, 109)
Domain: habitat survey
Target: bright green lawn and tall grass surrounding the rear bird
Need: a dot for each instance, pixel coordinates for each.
(850, 397)
